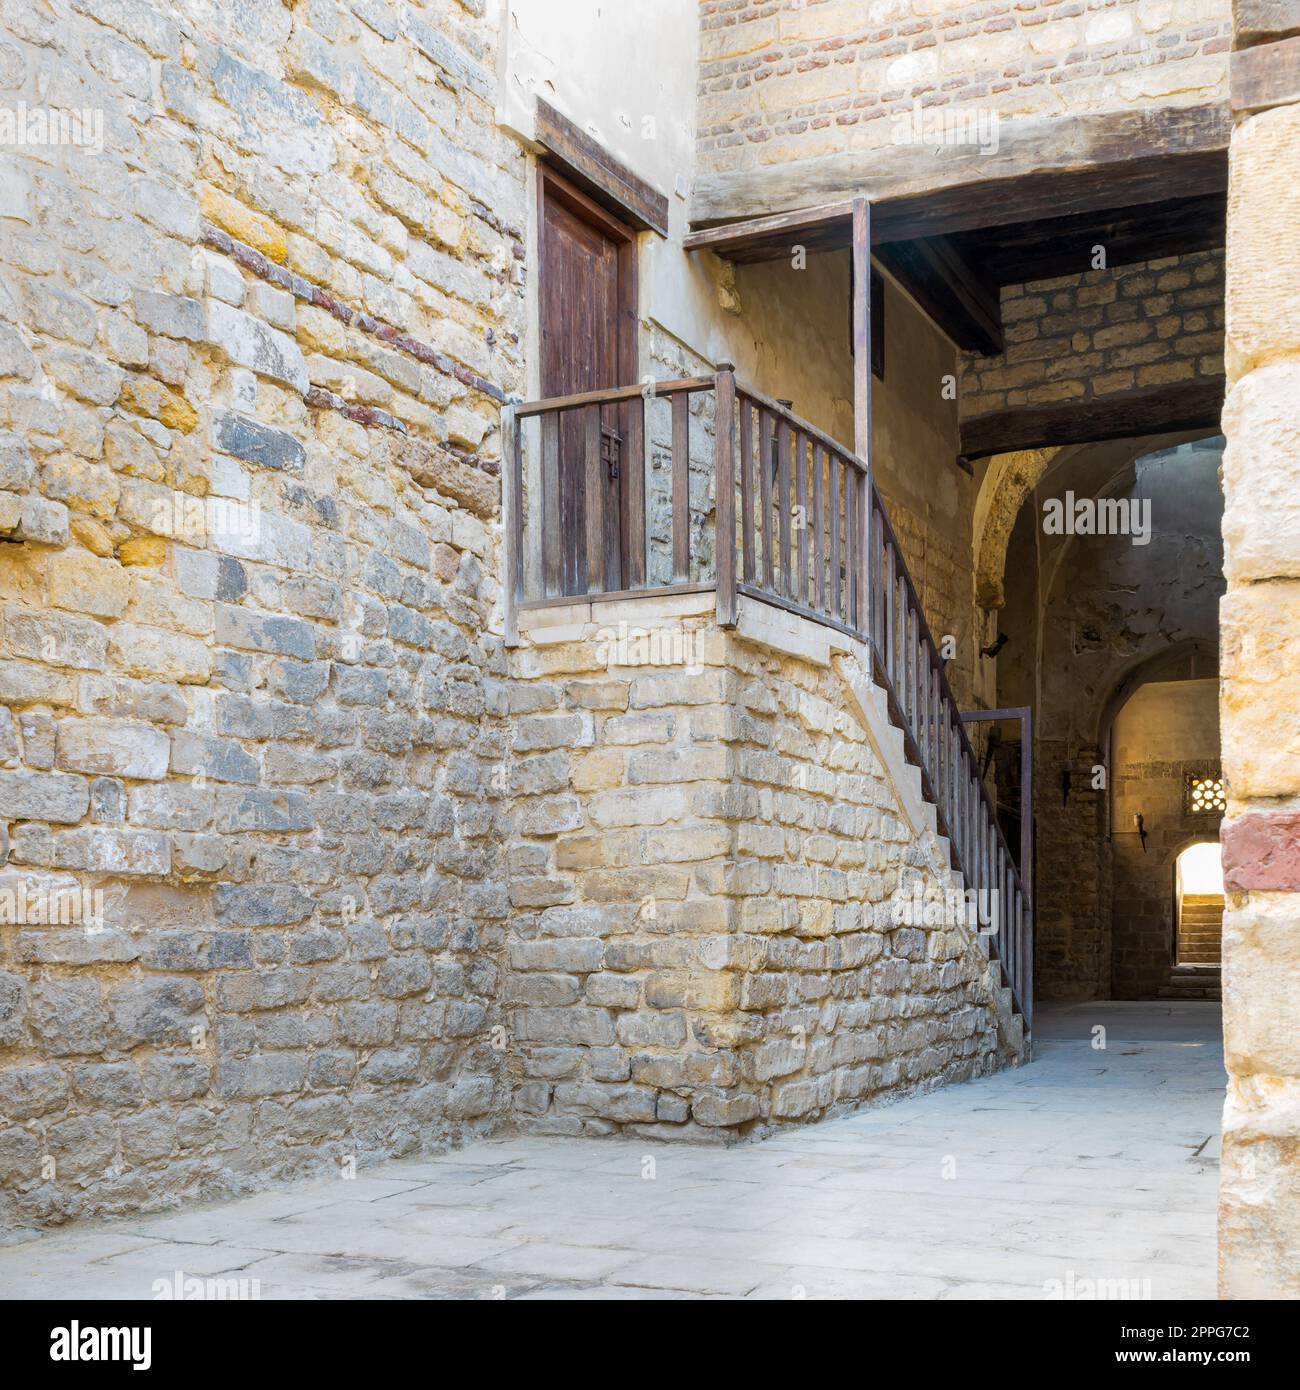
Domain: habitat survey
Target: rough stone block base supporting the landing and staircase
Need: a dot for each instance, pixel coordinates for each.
(708, 847)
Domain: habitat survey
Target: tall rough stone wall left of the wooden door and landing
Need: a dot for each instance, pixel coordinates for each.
(287, 284)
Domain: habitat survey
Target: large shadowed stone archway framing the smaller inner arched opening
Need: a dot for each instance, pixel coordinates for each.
(1092, 619)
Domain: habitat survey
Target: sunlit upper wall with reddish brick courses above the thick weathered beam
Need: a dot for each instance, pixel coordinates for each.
(788, 81)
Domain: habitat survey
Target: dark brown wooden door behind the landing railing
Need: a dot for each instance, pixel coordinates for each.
(589, 325)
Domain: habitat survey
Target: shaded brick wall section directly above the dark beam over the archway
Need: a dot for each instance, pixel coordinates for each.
(1087, 337)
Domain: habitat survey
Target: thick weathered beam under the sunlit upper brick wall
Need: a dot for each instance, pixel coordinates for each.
(1042, 167)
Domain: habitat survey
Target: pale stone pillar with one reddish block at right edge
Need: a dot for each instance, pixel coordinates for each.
(1260, 693)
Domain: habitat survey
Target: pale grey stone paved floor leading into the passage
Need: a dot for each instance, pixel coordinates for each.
(1085, 1166)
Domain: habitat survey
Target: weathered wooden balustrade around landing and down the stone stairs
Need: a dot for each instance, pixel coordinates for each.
(797, 523)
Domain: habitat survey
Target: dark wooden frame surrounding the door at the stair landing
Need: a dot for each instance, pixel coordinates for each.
(632, 471)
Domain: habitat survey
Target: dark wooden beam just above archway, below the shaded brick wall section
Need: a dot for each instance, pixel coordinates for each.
(1194, 405)
